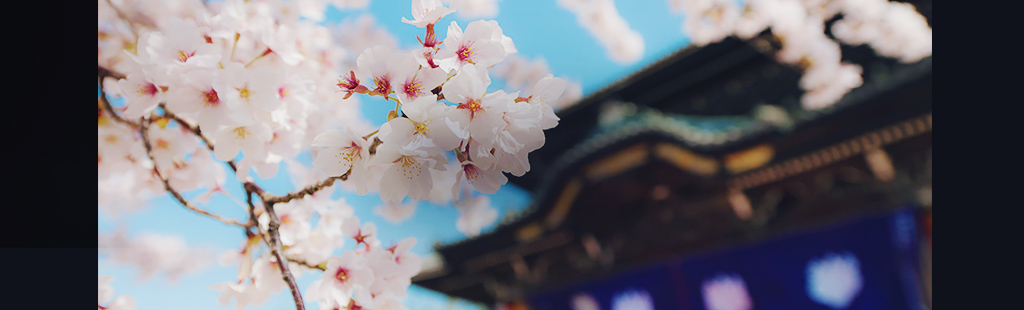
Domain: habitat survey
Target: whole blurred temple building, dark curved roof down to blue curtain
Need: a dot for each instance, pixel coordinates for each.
(702, 175)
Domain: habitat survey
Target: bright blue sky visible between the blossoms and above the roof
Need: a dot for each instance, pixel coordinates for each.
(540, 29)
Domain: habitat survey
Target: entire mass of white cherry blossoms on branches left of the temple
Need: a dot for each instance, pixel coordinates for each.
(257, 83)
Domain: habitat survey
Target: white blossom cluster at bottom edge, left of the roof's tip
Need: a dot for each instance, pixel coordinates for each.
(368, 275)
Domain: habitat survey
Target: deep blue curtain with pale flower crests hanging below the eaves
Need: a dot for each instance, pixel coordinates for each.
(868, 263)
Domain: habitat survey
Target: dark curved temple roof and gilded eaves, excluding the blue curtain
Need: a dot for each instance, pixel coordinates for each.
(701, 121)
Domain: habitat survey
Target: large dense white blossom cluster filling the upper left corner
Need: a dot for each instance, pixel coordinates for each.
(253, 77)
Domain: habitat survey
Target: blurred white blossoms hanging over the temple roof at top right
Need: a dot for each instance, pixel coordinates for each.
(892, 29)
